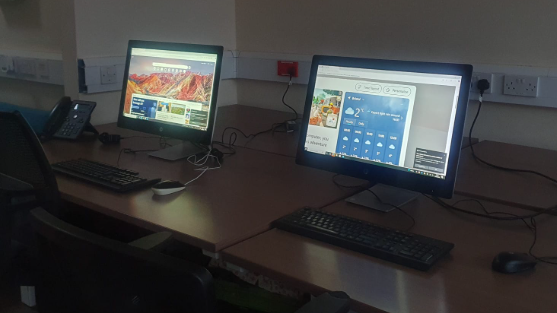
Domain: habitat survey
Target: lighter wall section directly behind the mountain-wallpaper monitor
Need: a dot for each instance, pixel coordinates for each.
(104, 27)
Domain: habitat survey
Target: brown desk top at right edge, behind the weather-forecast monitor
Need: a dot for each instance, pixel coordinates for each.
(524, 190)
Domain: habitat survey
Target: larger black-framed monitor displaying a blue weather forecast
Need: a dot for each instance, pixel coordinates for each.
(397, 123)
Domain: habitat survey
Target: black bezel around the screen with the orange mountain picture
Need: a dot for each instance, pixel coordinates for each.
(164, 129)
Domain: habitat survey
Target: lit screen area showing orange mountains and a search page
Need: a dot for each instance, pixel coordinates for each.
(172, 87)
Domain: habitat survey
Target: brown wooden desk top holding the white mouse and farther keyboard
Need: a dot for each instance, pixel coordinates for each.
(221, 208)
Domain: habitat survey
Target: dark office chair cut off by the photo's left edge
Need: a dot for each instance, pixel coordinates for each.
(26, 181)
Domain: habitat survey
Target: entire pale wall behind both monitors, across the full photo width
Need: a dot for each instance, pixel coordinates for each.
(487, 32)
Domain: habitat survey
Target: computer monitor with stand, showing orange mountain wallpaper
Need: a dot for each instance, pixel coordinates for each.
(170, 89)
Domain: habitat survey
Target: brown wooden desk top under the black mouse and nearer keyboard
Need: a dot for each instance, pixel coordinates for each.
(462, 283)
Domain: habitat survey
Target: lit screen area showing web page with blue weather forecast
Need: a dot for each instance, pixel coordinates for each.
(401, 120)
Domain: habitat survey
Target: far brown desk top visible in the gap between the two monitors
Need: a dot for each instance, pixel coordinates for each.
(252, 120)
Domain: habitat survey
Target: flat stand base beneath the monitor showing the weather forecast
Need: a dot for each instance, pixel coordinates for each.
(387, 194)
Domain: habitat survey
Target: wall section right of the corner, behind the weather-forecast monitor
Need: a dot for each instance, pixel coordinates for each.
(502, 32)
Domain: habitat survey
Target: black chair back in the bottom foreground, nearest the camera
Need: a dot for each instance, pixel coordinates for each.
(83, 272)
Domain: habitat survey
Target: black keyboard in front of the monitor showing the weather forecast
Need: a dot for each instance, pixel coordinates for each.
(392, 245)
